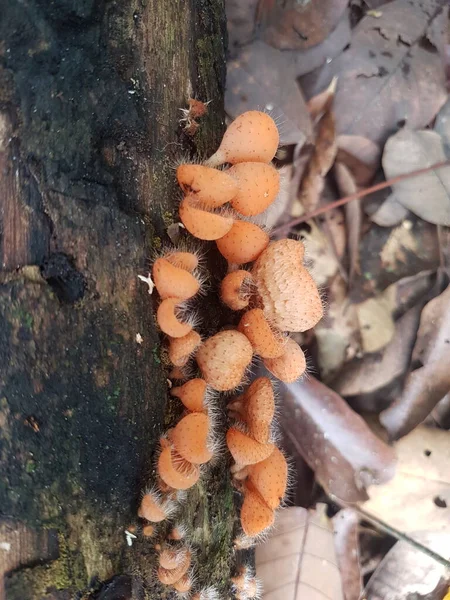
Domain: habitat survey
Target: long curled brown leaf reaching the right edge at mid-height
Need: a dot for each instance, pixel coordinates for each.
(429, 383)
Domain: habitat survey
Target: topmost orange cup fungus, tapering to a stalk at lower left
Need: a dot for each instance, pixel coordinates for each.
(253, 136)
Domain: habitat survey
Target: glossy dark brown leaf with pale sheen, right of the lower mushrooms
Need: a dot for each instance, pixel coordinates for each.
(336, 442)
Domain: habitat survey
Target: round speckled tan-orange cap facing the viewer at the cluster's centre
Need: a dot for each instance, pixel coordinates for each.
(223, 359)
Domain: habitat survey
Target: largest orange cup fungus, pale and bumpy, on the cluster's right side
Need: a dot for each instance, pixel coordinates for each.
(289, 295)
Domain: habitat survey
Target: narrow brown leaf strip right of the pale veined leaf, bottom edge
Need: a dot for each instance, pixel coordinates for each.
(346, 543)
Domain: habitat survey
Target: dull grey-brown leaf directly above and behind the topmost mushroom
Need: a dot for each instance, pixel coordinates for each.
(261, 78)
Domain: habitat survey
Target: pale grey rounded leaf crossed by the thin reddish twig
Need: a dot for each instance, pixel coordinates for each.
(427, 195)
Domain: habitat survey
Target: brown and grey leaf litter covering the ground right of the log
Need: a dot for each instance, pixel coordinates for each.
(373, 425)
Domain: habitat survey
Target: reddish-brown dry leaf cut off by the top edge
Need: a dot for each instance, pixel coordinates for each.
(300, 27)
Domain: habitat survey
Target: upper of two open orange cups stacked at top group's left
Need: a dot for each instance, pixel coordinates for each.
(209, 186)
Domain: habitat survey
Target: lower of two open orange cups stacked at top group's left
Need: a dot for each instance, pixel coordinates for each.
(201, 222)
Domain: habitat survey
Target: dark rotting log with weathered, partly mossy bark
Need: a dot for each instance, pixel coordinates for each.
(90, 92)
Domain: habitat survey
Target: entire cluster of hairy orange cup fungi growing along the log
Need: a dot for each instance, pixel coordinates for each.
(269, 284)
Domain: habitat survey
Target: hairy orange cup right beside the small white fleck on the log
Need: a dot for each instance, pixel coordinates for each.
(171, 280)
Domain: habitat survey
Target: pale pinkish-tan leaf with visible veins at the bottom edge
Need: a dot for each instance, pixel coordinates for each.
(298, 561)
